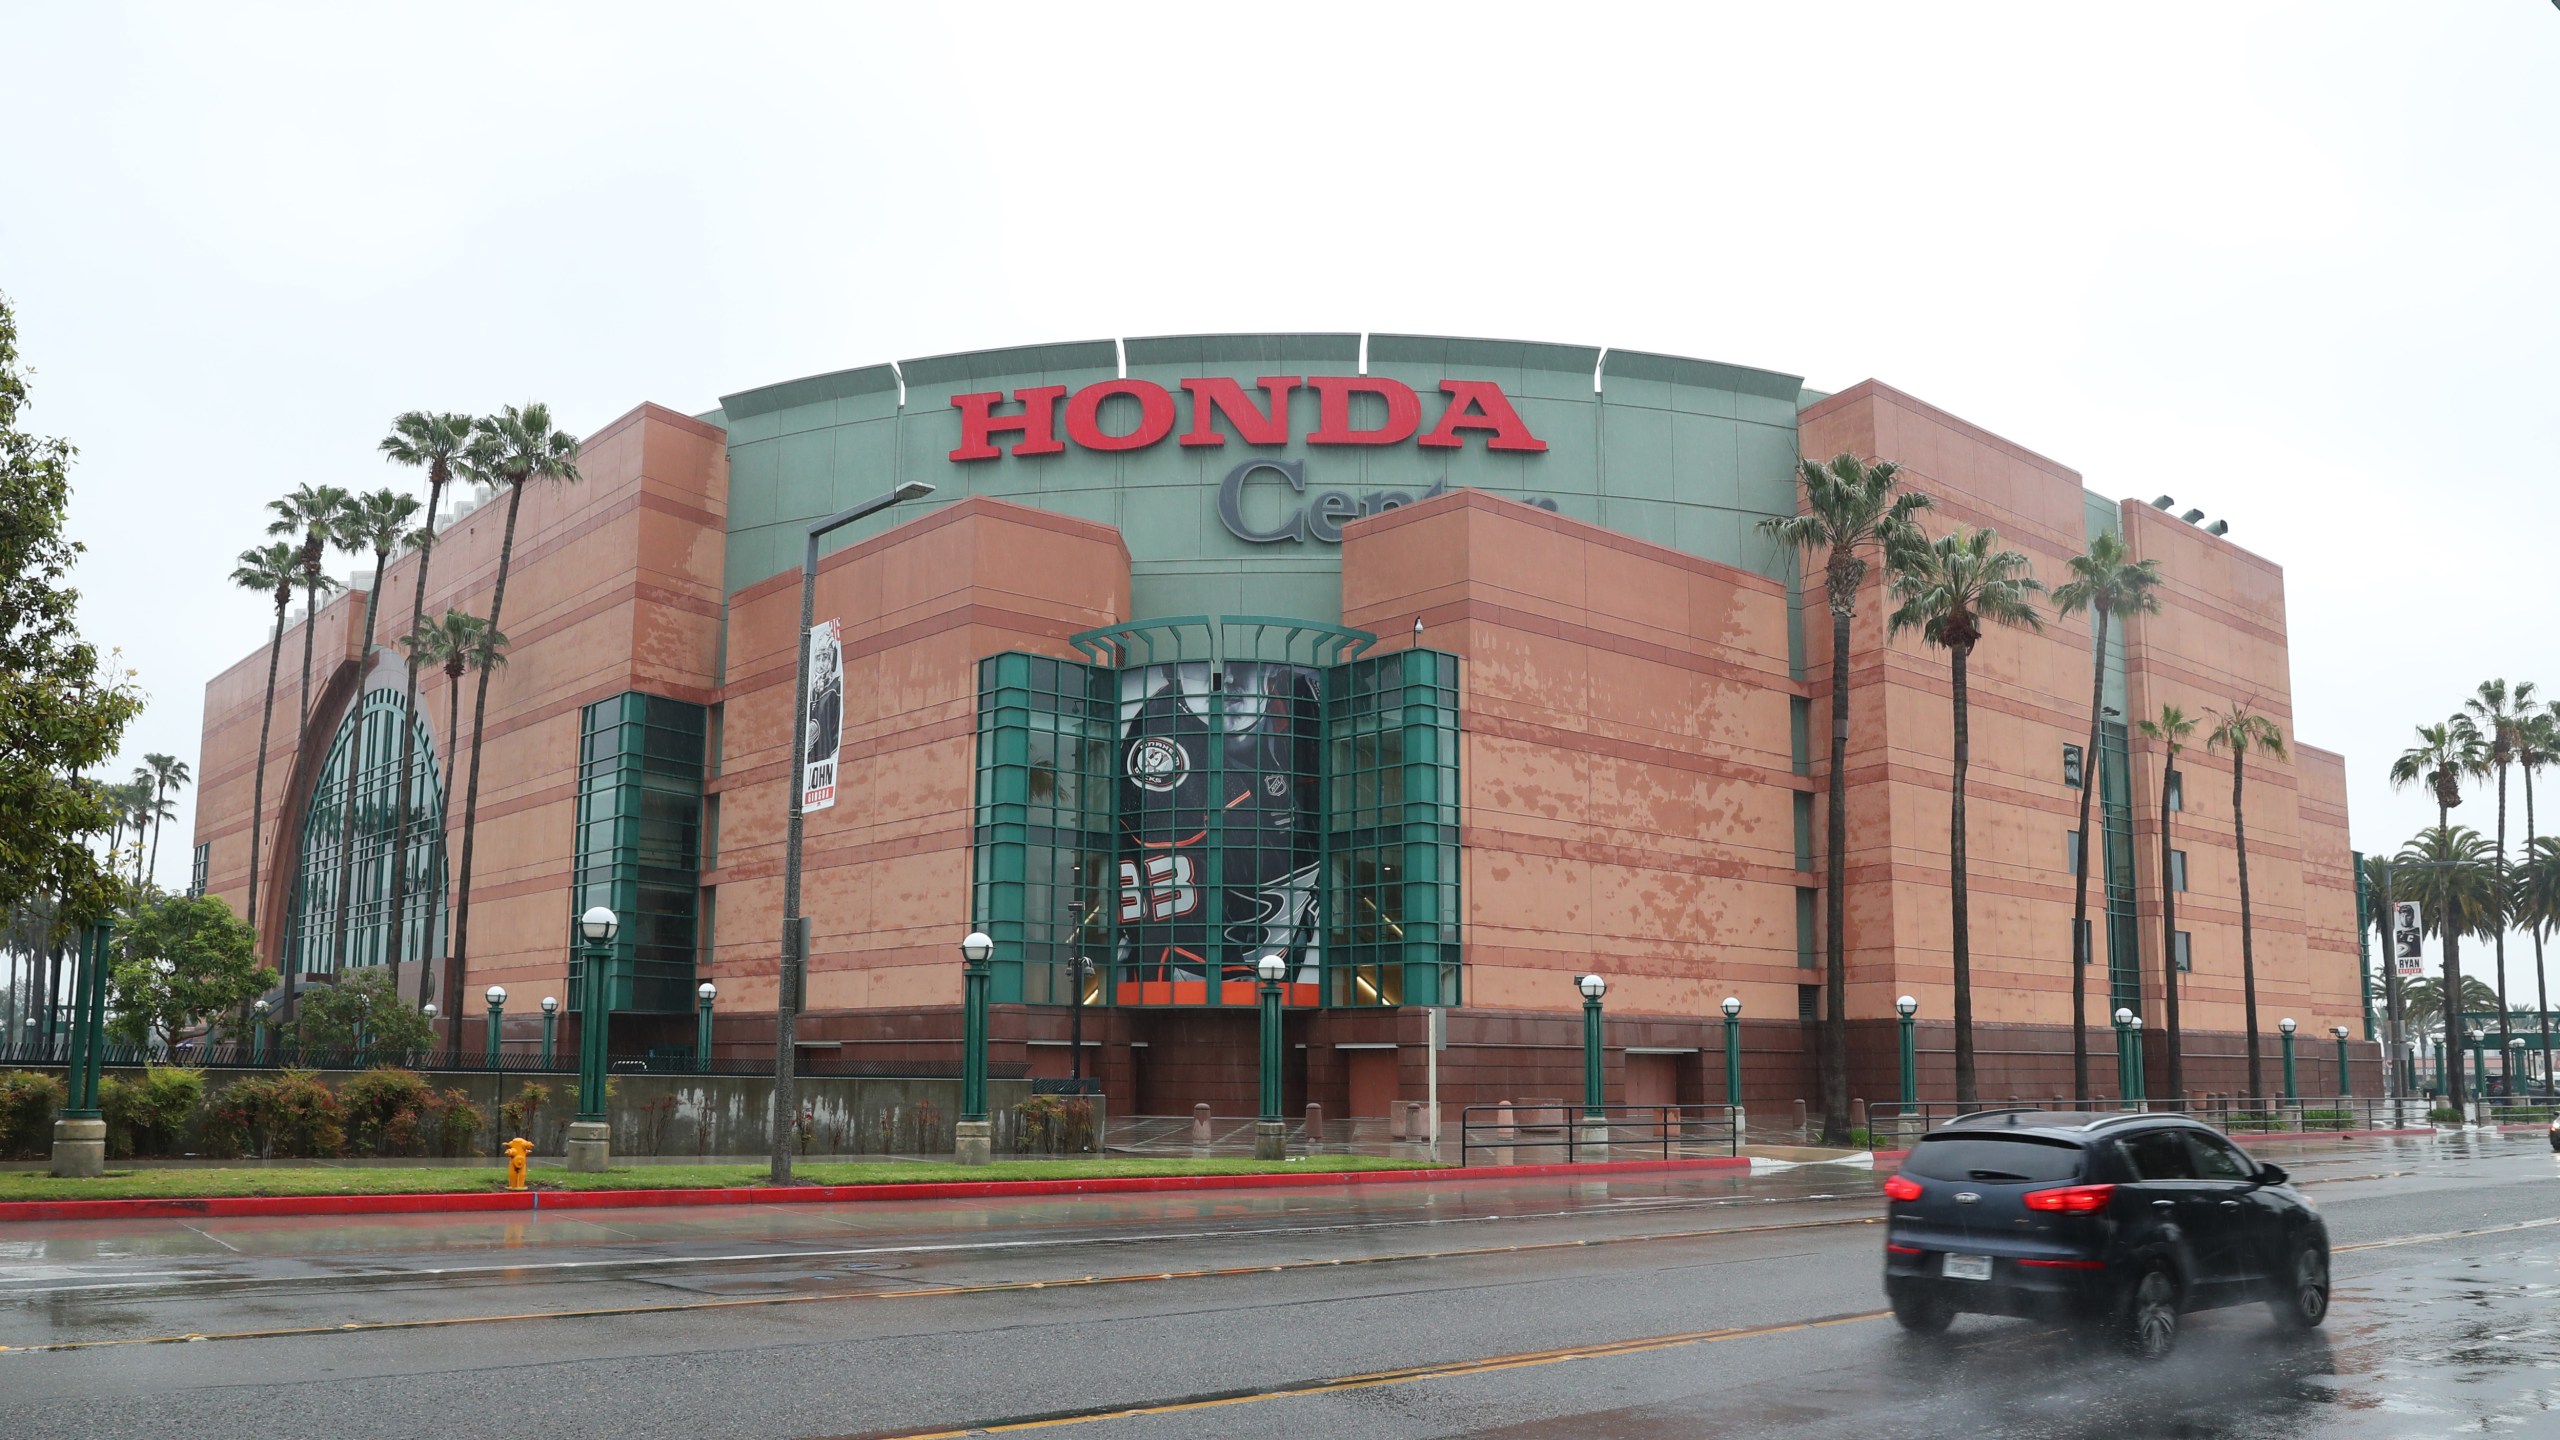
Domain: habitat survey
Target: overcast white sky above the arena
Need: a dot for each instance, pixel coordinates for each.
(2285, 263)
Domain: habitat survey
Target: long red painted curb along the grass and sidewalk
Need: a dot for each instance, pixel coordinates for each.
(797, 1195)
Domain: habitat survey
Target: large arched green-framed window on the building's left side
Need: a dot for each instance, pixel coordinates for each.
(362, 762)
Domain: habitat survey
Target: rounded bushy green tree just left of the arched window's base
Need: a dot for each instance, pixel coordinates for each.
(180, 960)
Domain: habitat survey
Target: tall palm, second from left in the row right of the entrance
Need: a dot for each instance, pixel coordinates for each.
(1949, 591)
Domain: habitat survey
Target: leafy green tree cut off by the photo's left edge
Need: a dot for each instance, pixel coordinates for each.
(63, 706)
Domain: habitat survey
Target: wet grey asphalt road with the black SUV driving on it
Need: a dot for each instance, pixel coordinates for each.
(1652, 1308)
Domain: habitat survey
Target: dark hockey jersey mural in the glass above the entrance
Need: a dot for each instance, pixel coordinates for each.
(1217, 831)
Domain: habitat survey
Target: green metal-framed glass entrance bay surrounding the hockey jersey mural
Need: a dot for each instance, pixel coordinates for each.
(1048, 870)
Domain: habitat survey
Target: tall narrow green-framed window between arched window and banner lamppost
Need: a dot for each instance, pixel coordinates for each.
(641, 765)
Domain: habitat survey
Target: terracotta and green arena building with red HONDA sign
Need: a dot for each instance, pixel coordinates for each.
(1445, 670)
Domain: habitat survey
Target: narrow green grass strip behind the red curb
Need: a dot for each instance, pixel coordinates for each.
(477, 1180)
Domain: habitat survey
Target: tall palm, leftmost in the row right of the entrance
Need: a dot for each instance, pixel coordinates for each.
(1850, 511)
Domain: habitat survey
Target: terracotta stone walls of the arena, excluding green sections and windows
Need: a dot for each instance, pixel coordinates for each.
(1640, 773)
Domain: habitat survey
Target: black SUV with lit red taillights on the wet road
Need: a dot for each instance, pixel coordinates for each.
(2116, 1221)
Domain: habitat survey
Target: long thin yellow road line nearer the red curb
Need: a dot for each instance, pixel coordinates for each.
(936, 1293)
